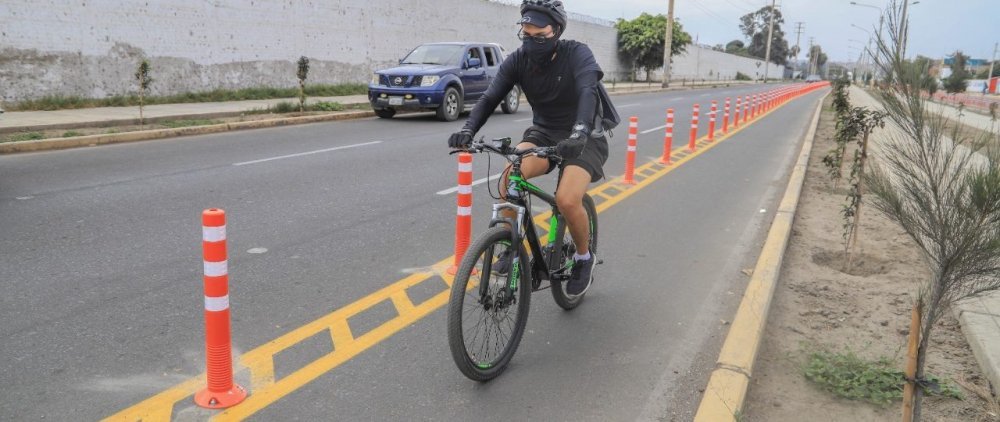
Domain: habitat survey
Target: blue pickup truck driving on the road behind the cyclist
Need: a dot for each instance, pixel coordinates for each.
(445, 77)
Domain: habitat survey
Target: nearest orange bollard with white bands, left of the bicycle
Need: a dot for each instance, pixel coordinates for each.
(220, 392)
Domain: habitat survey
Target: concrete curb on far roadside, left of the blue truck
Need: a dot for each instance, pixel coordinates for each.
(143, 135)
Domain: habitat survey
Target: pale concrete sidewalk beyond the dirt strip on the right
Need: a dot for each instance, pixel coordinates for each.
(979, 316)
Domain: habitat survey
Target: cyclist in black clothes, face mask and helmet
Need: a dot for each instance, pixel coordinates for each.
(561, 80)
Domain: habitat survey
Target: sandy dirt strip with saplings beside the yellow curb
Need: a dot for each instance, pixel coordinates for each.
(818, 305)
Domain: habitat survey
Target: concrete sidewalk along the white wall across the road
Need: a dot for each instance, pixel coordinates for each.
(23, 121)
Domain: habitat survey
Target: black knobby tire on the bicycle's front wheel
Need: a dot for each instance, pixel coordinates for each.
(469, 363)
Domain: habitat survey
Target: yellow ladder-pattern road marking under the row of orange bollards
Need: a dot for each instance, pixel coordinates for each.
(260, 361)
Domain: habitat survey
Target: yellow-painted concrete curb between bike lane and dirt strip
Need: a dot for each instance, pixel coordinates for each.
(726, 391)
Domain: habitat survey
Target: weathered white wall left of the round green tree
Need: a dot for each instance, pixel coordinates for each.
(91, 48)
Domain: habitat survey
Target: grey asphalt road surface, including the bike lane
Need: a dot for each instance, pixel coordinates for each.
(101, 268)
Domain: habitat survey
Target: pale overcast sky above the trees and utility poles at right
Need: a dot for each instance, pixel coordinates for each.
(938, 27)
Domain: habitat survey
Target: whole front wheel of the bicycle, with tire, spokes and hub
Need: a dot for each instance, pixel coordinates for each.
(485, 325)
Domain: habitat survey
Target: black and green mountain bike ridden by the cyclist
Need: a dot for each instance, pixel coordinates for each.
(488, 307)
